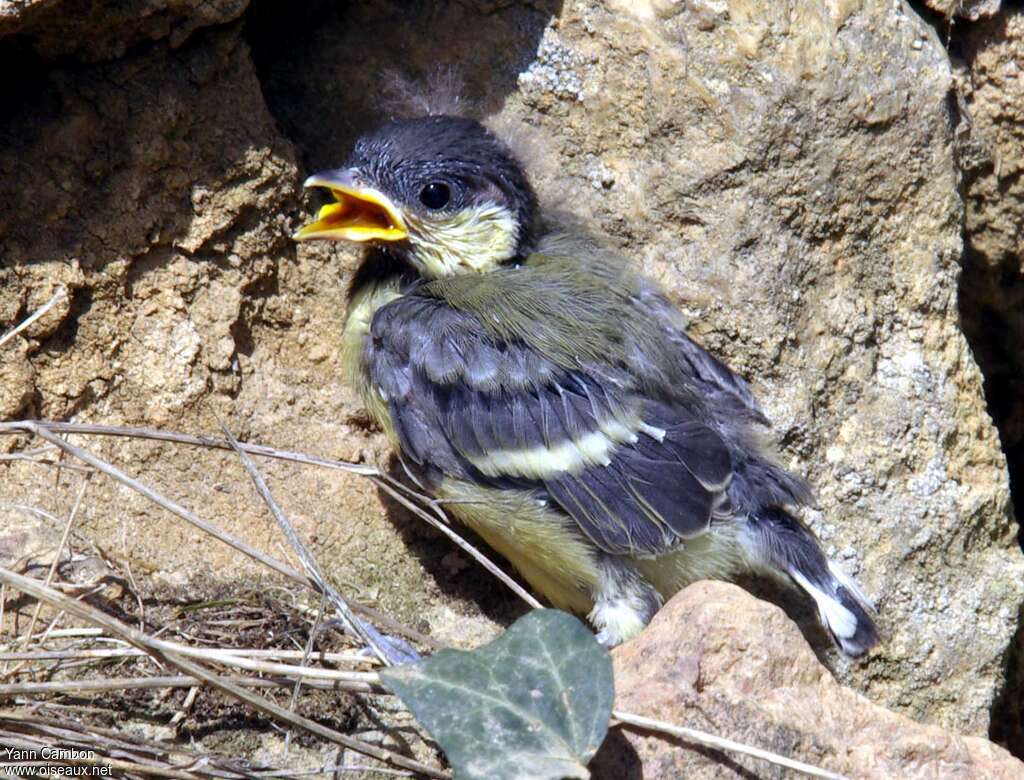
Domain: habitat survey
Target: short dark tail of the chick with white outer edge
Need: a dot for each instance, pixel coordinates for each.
(785, 545)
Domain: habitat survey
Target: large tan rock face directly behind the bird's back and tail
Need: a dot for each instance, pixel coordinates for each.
(788, 172)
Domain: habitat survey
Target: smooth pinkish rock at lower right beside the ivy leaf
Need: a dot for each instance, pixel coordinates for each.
(718, 661)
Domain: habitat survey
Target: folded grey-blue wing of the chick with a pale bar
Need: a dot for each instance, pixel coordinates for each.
(636, 474)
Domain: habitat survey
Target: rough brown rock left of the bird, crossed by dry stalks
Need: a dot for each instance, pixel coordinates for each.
(157, 190)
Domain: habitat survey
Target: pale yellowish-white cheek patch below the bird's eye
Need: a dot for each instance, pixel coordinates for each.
(473, 241)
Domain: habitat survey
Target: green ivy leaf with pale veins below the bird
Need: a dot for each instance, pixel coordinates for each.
(534, 704)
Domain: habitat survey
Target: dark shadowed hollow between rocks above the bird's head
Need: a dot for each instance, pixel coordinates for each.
(326, 68)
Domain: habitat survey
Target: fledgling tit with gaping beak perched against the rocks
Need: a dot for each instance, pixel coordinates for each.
(534, 380)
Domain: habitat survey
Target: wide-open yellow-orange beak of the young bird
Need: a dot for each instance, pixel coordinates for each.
(360, 214)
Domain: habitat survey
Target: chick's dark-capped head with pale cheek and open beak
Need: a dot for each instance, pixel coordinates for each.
(441, 192)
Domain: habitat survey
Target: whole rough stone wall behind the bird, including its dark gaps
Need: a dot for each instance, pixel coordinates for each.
(831, 190)
